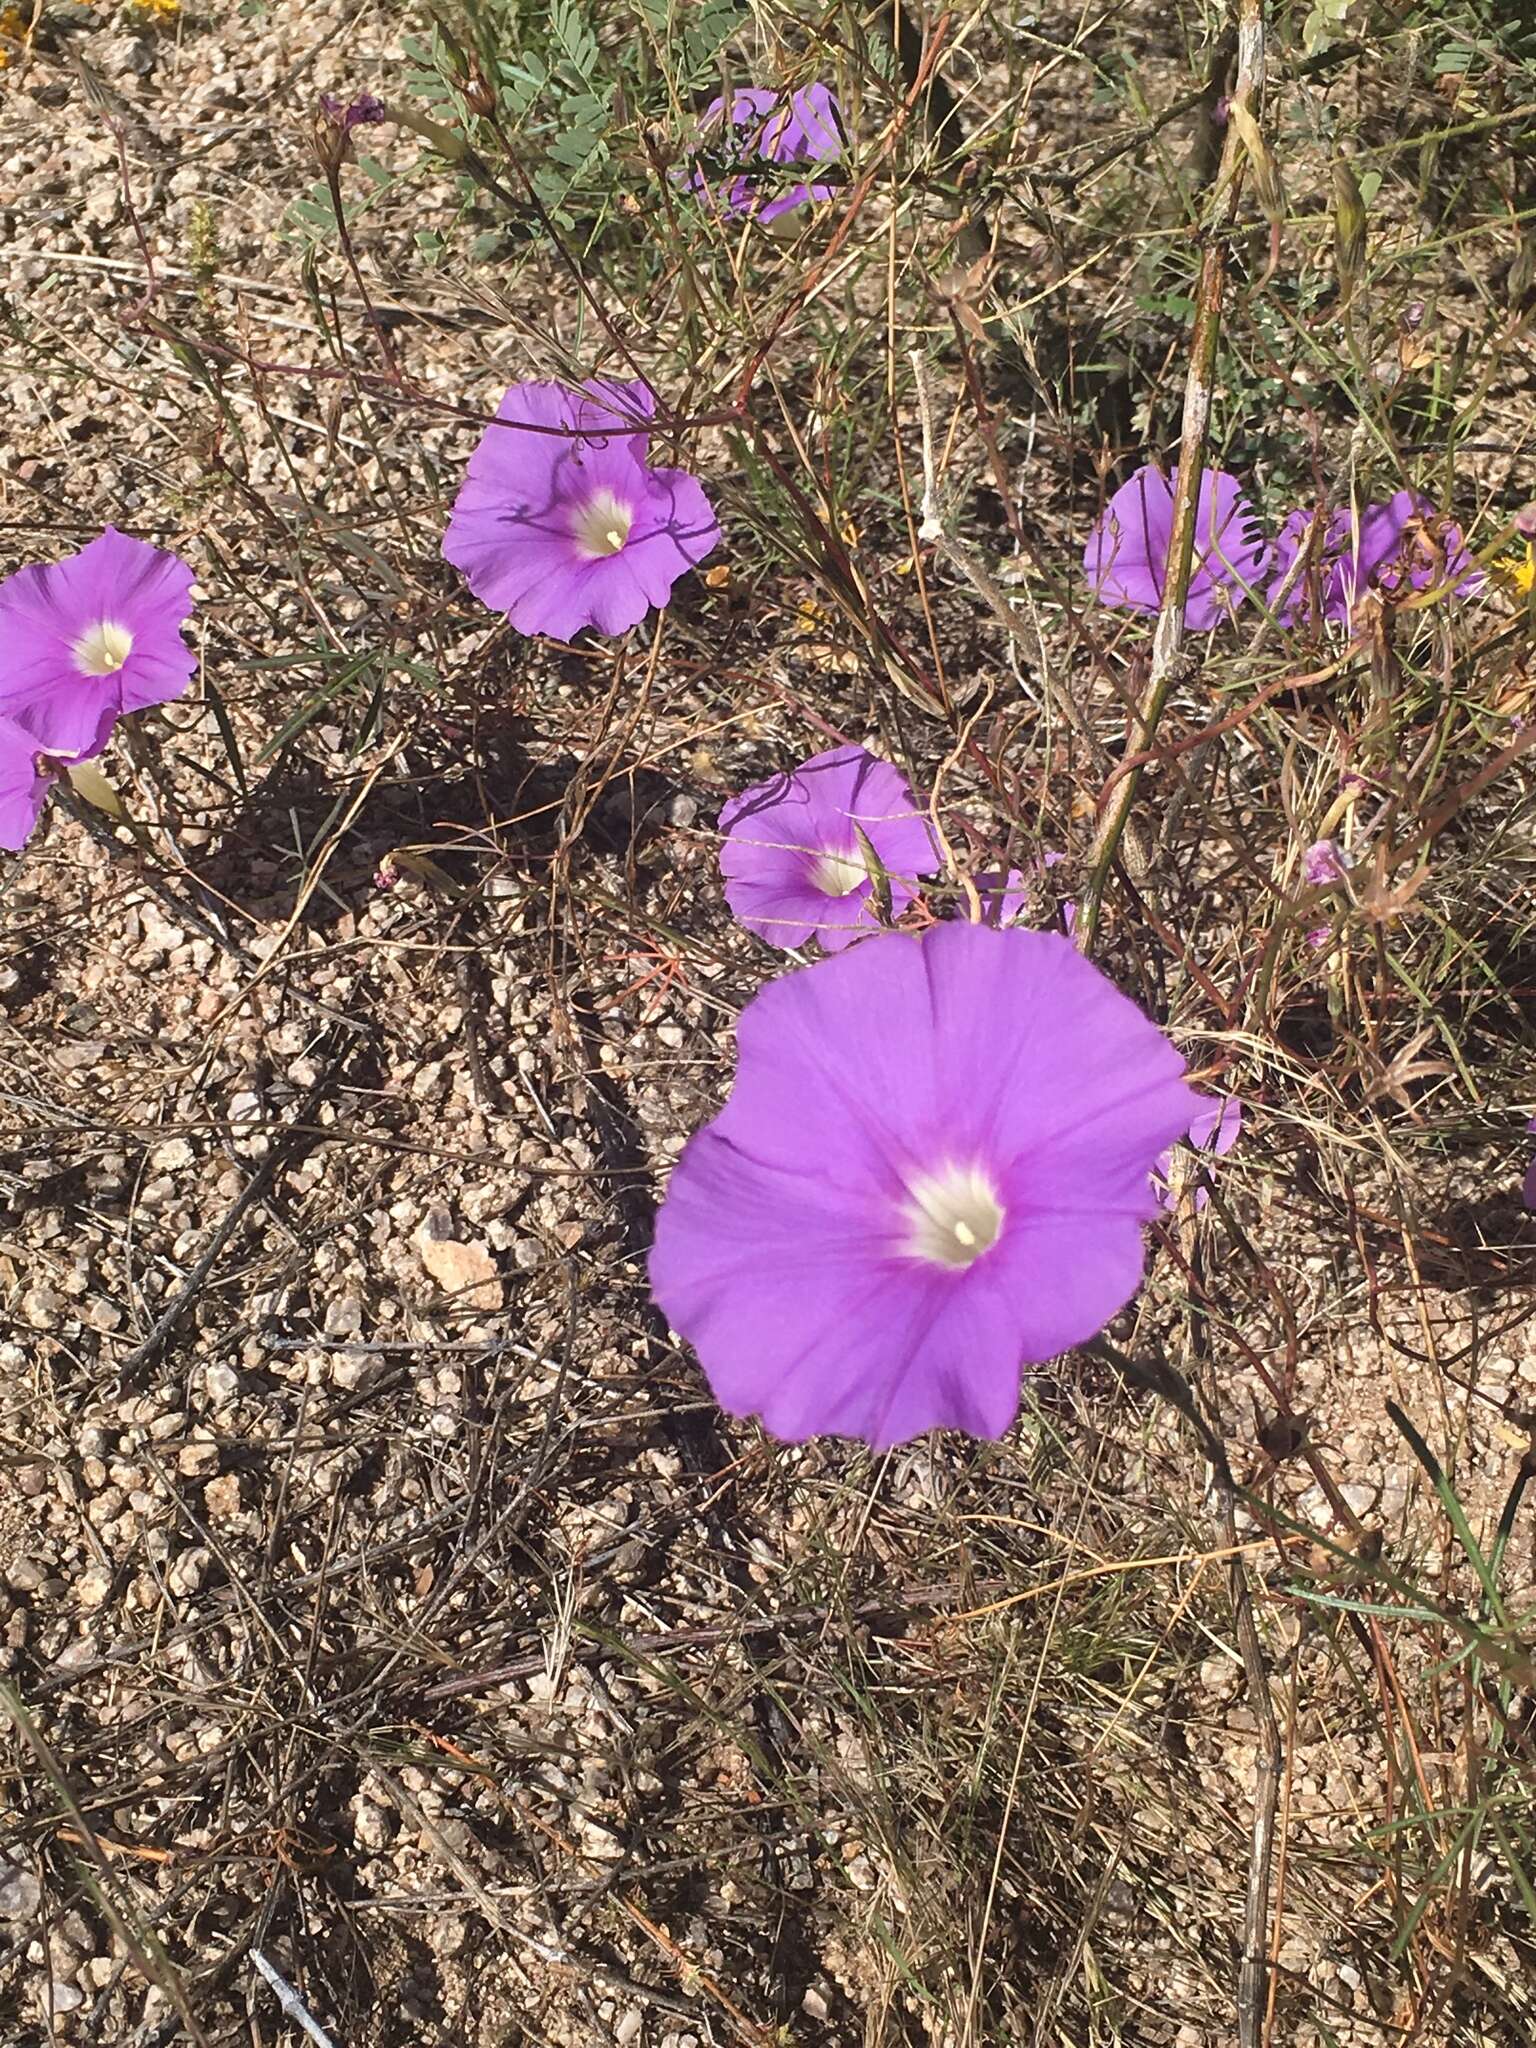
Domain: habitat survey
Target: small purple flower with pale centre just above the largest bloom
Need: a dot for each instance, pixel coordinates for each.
(794, 863)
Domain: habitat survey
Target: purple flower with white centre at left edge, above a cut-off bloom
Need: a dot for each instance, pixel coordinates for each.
(93, 638)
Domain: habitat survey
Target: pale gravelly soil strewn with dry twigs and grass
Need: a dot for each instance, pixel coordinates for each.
(378, 1580)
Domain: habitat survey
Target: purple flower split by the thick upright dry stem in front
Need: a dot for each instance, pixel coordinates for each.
(1127, 554)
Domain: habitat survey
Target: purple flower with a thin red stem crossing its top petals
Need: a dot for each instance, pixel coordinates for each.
(562, 523)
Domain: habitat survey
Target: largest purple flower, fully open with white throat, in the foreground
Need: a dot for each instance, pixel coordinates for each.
(933, 1170)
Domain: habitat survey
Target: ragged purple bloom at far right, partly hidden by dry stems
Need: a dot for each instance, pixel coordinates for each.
(1394, 548)
